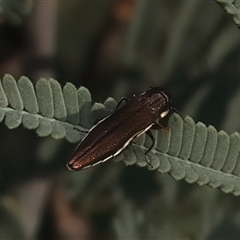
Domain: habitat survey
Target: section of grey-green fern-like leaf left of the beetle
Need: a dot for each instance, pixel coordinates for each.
(48, 108)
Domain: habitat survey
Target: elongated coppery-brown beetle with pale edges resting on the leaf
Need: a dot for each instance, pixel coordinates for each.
(114, 133)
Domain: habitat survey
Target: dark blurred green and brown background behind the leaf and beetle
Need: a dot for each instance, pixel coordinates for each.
(117, 48)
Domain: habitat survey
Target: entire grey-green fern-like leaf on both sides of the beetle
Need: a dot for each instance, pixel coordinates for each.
(189, 151)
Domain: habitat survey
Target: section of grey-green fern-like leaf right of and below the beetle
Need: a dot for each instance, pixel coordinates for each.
(194, 152)
